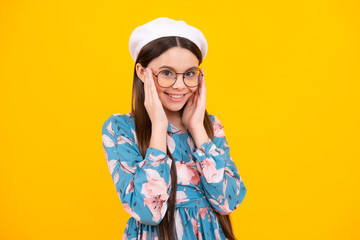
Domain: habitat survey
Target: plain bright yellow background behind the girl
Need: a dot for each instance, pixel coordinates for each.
(282, 76)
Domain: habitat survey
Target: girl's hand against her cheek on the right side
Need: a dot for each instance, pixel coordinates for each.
(194, 111)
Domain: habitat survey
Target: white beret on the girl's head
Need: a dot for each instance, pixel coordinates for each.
(164, 27)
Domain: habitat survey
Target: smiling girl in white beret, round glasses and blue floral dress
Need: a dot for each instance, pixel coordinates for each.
(168, 157)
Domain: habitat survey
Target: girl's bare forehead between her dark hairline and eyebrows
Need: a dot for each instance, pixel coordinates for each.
(176, 57)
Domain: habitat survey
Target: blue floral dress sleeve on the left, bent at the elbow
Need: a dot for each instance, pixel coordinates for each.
(142, 184)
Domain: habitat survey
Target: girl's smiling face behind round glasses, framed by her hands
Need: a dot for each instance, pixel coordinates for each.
(180, 60)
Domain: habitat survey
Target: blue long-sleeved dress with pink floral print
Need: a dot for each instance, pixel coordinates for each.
(207, 180)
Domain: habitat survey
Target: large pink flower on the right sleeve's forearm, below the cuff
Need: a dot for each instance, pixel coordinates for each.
(207, 168)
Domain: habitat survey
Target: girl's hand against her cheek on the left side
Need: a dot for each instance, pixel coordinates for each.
(152, 102)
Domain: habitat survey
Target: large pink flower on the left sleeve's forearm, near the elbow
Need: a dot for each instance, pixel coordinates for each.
(156, 194)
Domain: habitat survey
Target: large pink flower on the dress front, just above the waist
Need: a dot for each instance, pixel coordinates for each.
(186, 173)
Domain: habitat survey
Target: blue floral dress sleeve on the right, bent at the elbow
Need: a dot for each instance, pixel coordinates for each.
(223, 185)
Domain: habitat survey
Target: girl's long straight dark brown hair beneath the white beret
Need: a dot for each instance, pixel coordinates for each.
(166, 228)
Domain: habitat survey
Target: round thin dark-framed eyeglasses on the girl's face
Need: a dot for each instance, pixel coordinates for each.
(167, 78)
